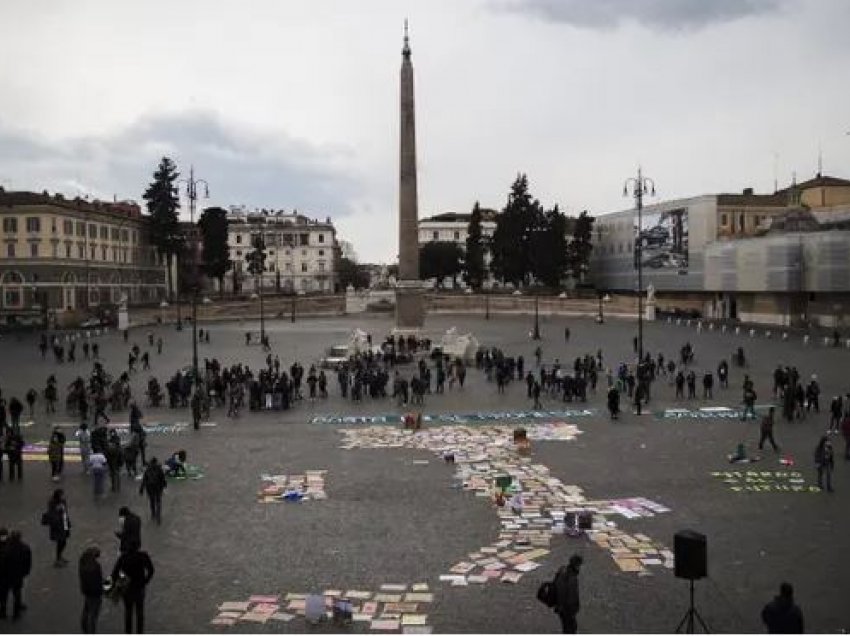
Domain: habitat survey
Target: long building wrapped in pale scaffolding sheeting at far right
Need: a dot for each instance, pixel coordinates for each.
(779, 258)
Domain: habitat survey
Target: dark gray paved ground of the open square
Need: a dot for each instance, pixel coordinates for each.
(388, 520)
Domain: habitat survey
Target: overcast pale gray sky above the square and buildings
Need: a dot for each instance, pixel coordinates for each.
(295, 104)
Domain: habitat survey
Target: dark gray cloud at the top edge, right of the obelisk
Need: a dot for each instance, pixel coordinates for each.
(667, 15)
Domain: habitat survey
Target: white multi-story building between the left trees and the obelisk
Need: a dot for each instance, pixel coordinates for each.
(301, 253)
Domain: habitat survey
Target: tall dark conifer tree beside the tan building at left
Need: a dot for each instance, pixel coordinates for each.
(163, 205)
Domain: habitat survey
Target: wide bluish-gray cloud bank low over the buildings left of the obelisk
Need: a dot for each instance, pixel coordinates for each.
(241, 166)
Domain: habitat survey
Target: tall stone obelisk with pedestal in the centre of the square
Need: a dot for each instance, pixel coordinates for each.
(410, 307)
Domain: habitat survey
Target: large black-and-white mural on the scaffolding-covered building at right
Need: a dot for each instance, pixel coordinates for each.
(661, 241)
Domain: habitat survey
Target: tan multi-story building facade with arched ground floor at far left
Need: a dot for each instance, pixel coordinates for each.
(60, 256)
